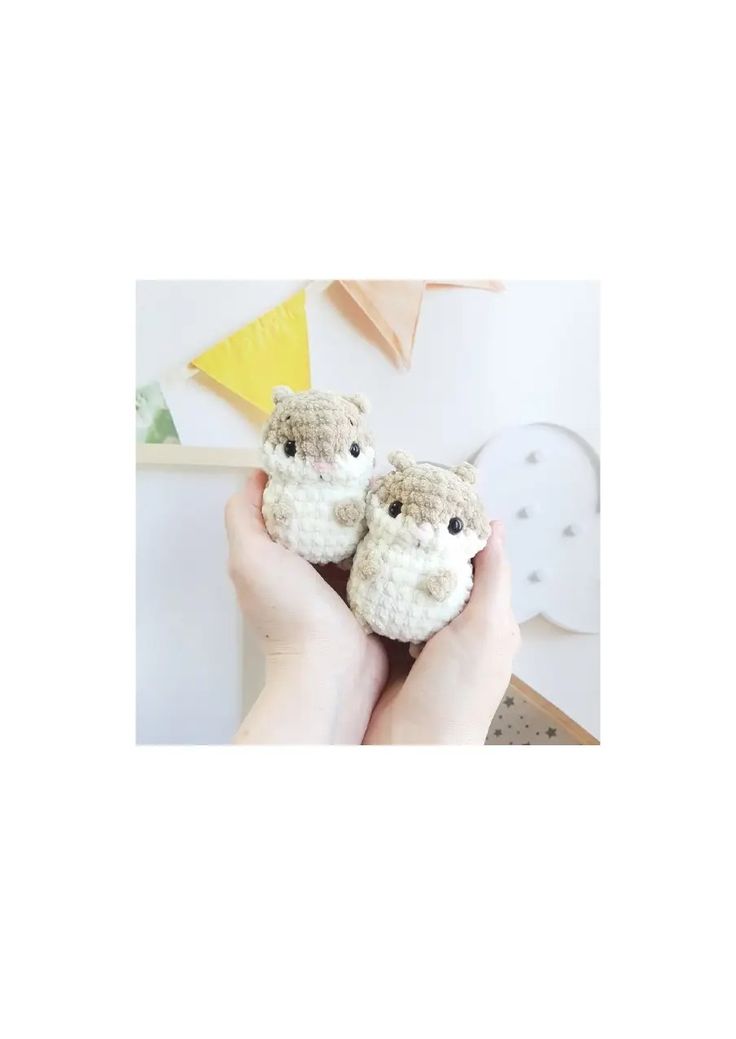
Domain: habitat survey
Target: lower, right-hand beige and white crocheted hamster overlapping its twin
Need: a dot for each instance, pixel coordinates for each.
(412, 573)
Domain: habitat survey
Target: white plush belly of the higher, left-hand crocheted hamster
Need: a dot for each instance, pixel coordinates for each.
(312, 530)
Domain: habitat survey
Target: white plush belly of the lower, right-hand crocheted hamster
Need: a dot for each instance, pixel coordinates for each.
(396, 603)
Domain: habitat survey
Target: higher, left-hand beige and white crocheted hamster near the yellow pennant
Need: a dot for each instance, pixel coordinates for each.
(319, 454)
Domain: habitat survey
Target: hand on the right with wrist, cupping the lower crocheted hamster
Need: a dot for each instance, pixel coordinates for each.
(454, 689)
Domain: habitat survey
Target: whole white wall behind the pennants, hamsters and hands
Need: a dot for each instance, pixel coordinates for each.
(482, 362)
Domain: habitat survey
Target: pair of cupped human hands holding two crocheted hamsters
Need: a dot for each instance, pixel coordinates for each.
(329, 682)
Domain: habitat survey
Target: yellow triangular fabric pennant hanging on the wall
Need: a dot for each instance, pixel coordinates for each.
(273, 351)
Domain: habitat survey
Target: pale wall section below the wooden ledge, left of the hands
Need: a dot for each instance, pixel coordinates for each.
(189, 634)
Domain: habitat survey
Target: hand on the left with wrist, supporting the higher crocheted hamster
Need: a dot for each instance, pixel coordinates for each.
(324, 674)
